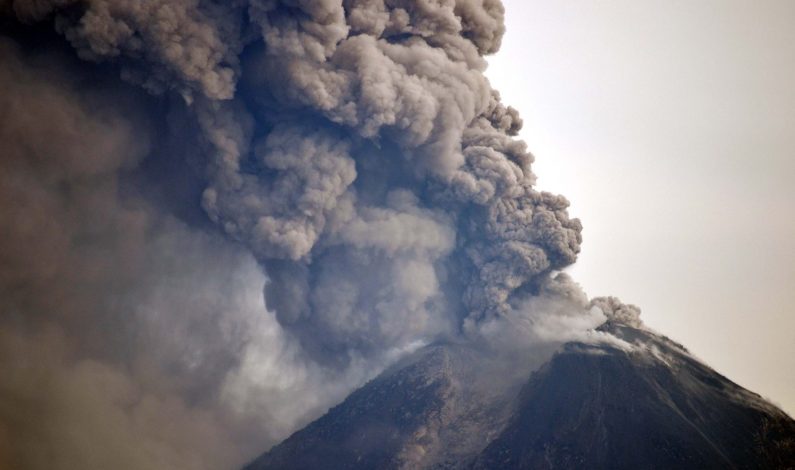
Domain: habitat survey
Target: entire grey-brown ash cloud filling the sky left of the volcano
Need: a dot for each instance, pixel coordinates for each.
(165, 160)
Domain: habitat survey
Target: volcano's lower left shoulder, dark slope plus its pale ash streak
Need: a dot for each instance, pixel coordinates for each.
(440, 406)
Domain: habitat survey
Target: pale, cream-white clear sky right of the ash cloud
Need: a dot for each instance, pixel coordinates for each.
(671, 127)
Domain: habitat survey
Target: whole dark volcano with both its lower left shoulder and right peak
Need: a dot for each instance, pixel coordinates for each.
(641, 401)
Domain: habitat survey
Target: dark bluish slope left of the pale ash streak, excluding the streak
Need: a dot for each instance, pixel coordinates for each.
(376, 424)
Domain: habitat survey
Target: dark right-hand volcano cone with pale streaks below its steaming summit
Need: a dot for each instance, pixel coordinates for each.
(652, 407)
